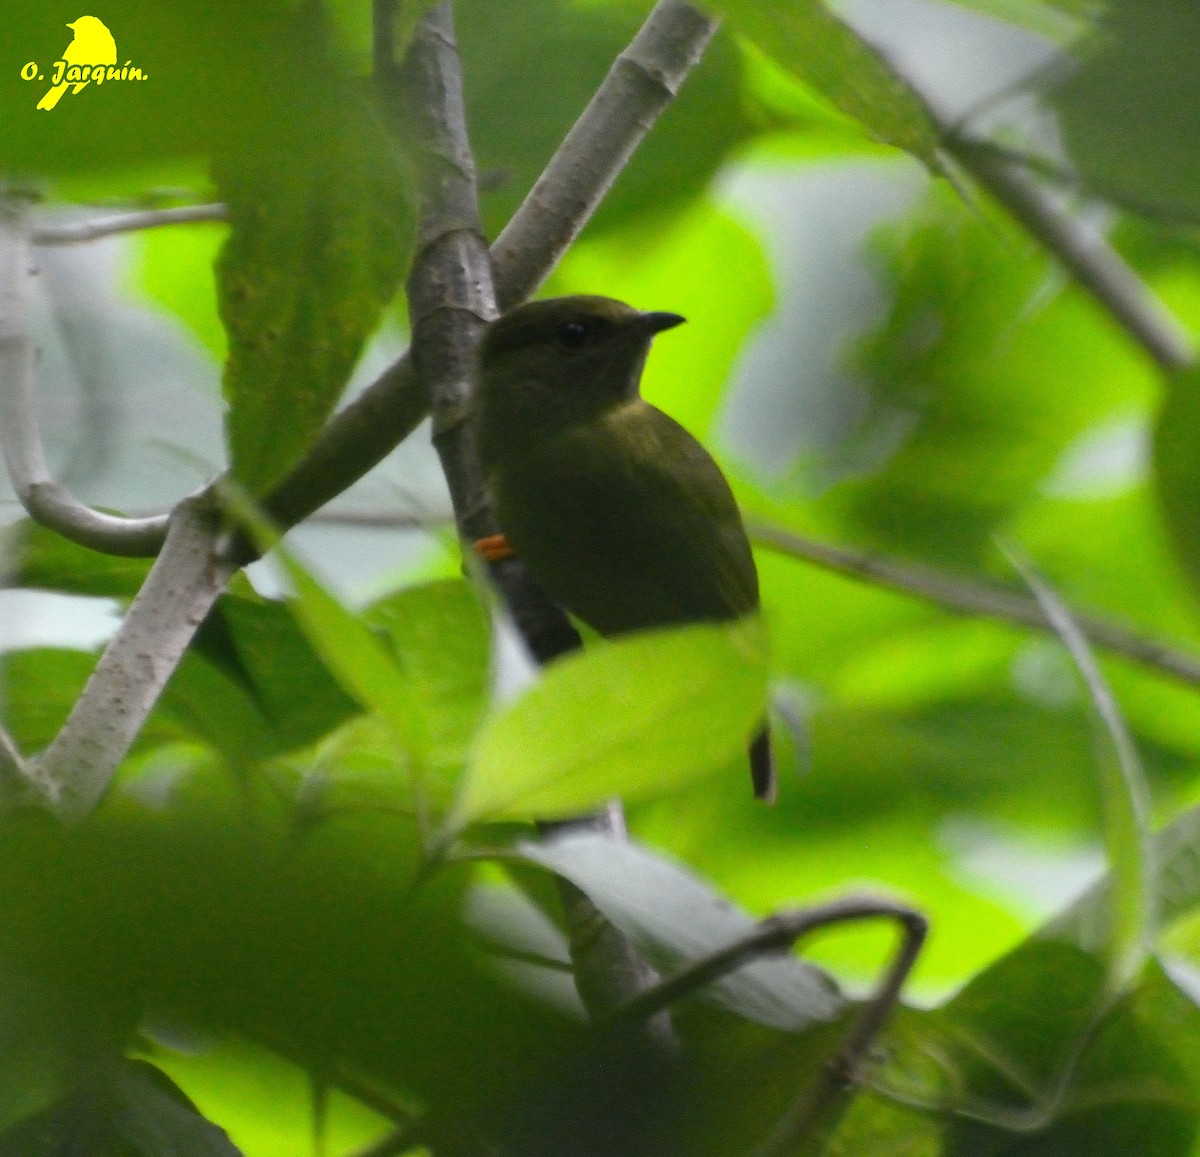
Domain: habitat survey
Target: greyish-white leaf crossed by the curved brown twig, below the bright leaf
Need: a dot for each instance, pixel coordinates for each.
(676, 919)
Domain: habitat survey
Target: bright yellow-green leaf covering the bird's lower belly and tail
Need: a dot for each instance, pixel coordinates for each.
(634, 717)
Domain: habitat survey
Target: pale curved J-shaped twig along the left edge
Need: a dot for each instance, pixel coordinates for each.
(47, 501)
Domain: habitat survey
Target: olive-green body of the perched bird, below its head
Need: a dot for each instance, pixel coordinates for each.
(629, 524)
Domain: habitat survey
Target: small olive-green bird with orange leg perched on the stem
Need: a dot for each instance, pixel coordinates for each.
(619, 513)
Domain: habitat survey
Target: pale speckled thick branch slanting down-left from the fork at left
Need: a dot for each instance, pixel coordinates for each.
(185, 582)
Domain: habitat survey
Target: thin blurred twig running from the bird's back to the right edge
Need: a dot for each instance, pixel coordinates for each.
(977, 598)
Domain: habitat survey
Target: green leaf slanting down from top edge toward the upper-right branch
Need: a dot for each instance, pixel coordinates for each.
(806, 38)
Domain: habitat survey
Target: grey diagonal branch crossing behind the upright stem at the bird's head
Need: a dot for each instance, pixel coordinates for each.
(365, 431)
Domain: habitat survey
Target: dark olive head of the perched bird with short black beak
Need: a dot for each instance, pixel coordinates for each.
(548, 365)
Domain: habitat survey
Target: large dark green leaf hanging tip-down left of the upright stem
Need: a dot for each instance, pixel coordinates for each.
(320, 233)
